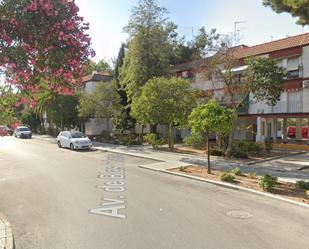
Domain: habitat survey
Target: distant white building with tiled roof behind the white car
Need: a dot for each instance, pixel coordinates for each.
(96, 126)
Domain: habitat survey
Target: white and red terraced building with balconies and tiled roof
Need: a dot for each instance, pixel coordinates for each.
(288, 120)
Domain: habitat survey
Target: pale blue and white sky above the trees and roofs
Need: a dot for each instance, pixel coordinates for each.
(260, 24)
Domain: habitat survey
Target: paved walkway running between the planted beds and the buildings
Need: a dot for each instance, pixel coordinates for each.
(290, 168)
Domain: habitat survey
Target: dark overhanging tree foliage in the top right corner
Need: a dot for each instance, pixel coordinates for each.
(297, 8)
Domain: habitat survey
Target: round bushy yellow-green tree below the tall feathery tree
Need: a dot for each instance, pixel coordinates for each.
(165, 101)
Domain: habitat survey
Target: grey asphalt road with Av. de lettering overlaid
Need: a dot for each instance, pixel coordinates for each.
(61, 199)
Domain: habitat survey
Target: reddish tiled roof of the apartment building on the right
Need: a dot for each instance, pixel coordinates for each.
(285, 43)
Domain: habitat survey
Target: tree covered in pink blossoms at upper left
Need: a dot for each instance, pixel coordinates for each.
(44, 49)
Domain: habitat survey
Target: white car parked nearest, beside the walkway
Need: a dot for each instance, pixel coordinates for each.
(75, 140)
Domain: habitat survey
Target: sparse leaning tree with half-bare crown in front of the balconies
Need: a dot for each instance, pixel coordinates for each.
(262, 78)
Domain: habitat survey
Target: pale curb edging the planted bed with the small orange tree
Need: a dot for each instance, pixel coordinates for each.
(230, 186)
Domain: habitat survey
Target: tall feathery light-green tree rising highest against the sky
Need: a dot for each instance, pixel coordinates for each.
(149, 49)
